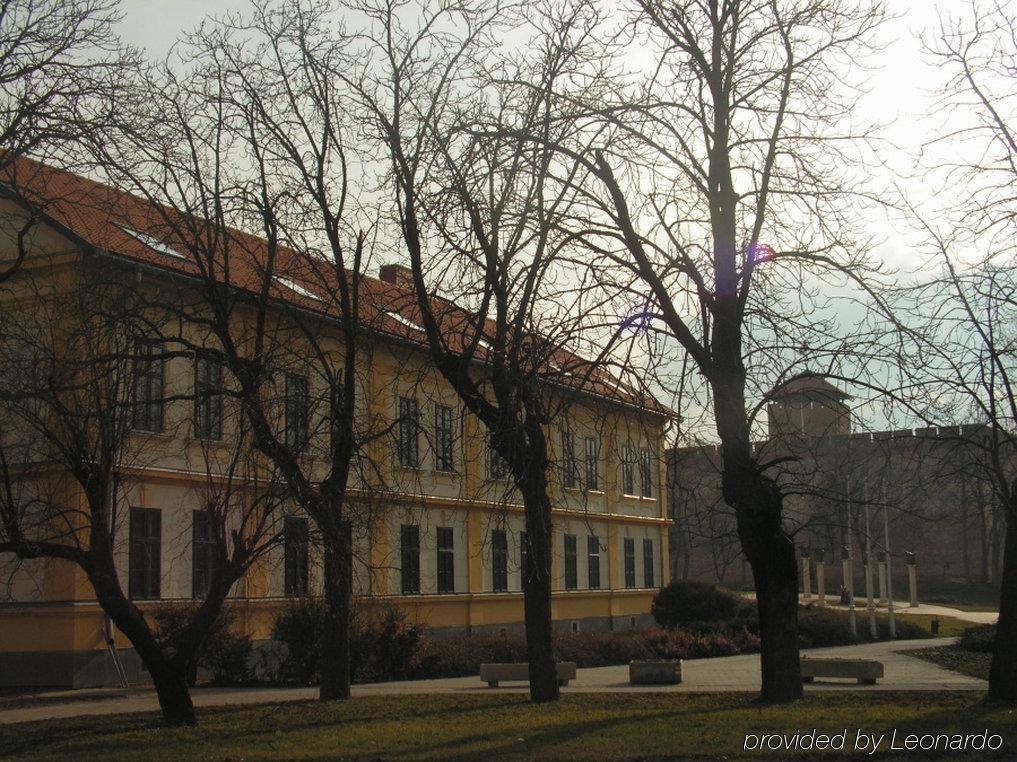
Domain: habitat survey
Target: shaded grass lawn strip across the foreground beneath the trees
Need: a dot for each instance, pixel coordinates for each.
(506, 726)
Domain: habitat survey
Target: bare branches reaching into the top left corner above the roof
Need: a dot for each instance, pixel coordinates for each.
(62, 71)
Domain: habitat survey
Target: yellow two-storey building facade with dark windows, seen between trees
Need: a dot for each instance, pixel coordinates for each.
(438, 529)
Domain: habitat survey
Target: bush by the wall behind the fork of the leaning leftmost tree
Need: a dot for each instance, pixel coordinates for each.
(223, 654)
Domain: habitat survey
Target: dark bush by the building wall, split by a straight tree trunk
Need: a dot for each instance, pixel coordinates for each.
(383, 643)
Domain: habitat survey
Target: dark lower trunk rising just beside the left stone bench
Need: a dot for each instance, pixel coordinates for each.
(537, 596)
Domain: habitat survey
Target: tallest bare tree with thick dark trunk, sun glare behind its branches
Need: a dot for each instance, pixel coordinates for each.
(724, 198)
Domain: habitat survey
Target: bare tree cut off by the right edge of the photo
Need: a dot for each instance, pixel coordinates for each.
(965, 317)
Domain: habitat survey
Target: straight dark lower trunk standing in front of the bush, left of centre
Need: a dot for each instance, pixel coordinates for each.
(335, 667)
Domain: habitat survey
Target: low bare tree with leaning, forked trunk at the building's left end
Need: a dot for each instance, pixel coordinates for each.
(74, 366)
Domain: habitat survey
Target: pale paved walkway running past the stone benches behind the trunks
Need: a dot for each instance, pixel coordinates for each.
(710, 676)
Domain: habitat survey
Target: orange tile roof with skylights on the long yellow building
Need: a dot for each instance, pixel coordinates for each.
(109, 220)
